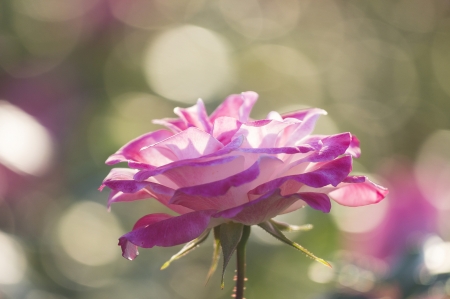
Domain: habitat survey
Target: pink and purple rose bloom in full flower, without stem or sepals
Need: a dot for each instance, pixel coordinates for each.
(227, 168)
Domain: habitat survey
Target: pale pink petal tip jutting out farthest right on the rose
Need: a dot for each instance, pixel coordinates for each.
(358, 194)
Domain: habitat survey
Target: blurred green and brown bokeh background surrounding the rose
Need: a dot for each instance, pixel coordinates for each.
(80, 78)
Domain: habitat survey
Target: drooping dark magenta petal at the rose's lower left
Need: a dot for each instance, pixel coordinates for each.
(165, 231)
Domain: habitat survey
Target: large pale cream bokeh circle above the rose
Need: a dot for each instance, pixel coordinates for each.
(188, 62)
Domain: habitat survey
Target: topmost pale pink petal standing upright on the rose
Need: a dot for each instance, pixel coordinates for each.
(237, 106)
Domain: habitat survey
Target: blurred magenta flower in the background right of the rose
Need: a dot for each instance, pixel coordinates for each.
(410, 218)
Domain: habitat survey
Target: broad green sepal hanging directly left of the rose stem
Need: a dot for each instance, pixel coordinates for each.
(230, 235)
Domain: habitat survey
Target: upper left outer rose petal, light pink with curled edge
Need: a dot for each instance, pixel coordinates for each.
(130, 151)
